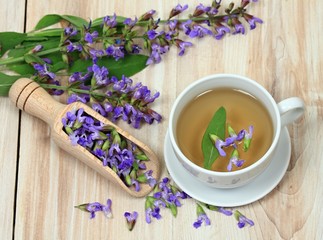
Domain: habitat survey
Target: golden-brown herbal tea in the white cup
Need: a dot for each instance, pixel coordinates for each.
(242, 110)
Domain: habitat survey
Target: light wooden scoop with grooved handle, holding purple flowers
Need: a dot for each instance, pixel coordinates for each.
(30, 97)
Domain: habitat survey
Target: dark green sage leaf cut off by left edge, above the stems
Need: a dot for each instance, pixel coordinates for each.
(9, 40)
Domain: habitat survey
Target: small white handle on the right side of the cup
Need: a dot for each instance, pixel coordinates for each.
(290, 110)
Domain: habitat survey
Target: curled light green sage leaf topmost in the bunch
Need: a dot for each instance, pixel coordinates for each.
(52, 19)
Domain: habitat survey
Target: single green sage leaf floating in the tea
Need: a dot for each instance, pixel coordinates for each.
(217, 127)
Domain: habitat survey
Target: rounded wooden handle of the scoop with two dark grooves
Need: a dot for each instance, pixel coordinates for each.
(29, 96)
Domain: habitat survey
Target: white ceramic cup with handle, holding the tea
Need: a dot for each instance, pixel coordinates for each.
(283, 113)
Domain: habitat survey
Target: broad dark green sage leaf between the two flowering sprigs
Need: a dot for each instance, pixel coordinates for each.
(128, 66)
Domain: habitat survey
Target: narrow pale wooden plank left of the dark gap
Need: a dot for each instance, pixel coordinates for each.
(12, 19)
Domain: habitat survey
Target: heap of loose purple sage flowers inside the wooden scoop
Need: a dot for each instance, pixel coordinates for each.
(115, 151)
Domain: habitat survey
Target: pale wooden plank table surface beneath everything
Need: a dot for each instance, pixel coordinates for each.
(40, 183)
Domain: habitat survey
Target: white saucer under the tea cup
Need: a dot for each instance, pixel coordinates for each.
(258, 188)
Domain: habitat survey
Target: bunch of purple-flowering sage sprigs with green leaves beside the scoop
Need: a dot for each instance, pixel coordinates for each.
(118, 45)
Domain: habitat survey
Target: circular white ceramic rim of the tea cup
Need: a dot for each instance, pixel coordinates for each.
(240, 171)
